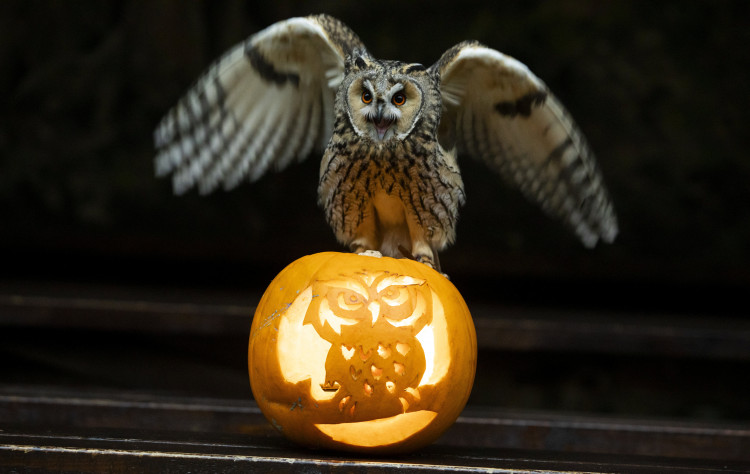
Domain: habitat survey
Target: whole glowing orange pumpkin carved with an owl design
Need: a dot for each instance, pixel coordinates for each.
(361, 353)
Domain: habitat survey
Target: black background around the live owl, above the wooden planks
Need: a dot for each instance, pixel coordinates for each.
(659, 89)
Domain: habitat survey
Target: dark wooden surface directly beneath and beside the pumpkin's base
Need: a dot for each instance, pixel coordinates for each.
(91, 431)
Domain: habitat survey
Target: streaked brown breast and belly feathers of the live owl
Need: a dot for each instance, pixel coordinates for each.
(390, 191)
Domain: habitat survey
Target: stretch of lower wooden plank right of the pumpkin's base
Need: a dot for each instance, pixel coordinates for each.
(554, 432)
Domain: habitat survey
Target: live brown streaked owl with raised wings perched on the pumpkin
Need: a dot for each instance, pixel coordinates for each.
(389, 132)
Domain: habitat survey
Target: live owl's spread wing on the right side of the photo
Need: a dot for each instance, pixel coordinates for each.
(498, 111)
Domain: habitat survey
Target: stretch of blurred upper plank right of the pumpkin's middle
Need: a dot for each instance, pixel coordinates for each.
(642, 334)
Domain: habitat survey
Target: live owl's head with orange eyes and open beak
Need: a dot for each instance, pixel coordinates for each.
(386, 100)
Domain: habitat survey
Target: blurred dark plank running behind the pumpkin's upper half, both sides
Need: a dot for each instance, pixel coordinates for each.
(498, 327)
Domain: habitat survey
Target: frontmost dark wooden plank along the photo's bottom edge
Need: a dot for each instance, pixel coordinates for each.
(169, 452)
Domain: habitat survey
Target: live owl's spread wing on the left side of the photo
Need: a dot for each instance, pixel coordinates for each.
(266, 102)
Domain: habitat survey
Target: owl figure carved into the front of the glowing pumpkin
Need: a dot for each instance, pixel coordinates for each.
(372, 322)
